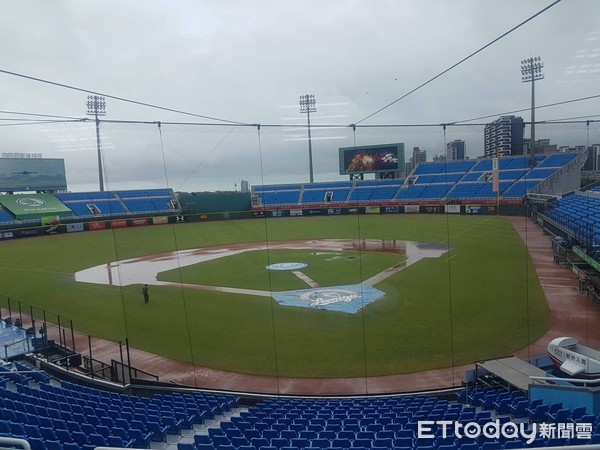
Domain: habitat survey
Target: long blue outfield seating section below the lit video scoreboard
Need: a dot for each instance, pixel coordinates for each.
(436, 181)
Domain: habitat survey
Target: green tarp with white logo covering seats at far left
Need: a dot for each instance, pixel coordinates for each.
(27, 206)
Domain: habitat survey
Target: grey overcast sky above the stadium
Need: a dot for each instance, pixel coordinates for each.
(249, 62)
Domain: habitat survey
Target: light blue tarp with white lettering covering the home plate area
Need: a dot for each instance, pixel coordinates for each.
(348, 299)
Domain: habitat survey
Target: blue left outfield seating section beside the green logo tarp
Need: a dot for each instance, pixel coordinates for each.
(86, 204)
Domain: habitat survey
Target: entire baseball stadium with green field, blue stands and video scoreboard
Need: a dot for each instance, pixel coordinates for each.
(437, 293)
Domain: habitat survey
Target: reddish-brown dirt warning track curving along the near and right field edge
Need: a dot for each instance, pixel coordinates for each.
(570, 312)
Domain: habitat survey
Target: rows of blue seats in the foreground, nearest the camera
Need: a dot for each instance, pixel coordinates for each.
(67, 416)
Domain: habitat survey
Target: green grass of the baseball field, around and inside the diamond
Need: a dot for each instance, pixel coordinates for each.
(481, 300)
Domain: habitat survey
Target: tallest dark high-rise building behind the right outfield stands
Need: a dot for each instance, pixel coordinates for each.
(504, 136)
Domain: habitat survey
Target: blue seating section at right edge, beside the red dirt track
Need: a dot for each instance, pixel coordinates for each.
(579, 213)
